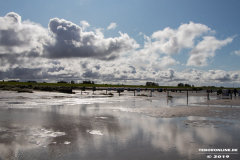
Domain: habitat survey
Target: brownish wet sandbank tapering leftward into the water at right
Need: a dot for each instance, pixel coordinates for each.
(216, 108)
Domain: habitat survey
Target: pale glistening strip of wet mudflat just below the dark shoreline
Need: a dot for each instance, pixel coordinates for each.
(39, 99)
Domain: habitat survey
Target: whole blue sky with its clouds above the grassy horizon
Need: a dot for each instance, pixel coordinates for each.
(121, 42)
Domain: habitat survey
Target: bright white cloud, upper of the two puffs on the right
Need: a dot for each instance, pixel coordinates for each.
(170, 41)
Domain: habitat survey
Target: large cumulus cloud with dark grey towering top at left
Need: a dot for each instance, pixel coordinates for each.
(62, 39)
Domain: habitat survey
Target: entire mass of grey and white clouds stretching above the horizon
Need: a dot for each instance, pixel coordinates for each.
(66, 51)
